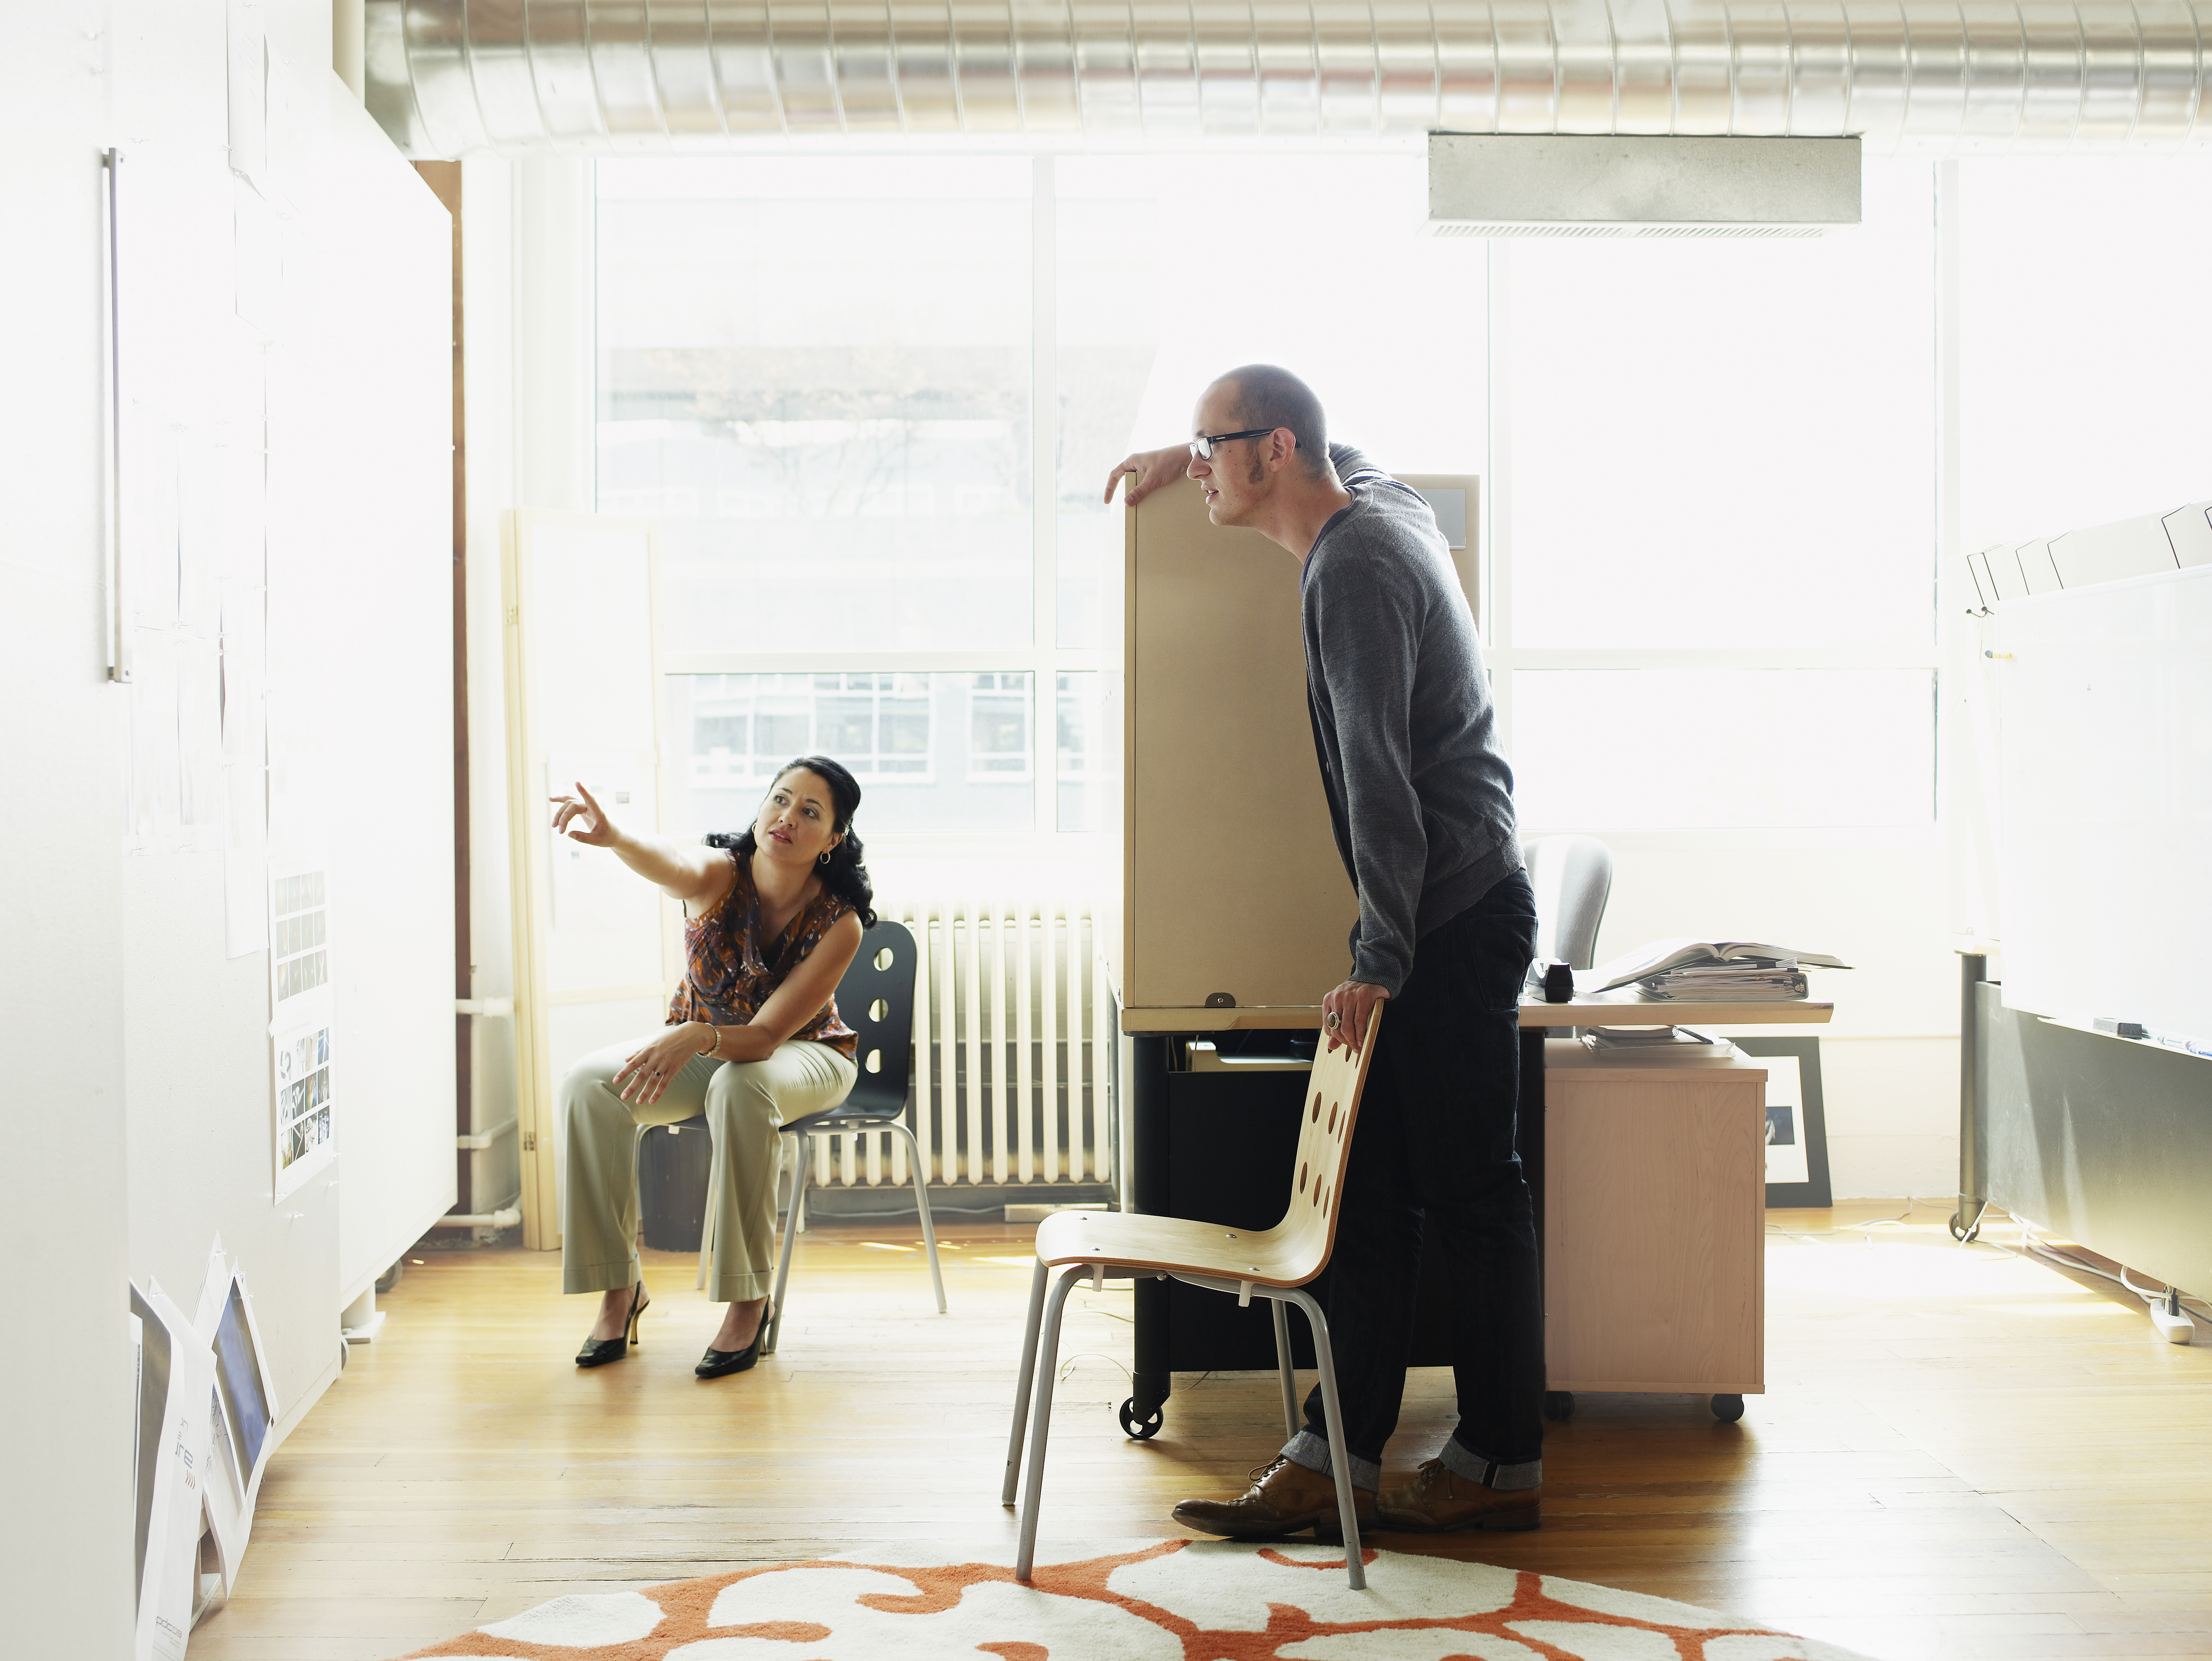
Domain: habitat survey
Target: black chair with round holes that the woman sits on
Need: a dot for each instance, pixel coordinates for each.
(877, 1003)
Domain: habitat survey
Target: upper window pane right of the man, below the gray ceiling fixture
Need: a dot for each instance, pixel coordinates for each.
(1729, 443)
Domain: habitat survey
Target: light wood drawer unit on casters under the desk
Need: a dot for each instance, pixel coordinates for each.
(1656, 1224)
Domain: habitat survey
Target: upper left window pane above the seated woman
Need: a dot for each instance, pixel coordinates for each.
(815, 373)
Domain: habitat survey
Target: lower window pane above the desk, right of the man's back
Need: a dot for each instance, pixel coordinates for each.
(1817, 749)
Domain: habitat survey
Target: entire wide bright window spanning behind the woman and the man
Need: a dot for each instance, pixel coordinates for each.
(873, 404)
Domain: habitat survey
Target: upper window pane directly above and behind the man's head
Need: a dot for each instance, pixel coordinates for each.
(1160, 291)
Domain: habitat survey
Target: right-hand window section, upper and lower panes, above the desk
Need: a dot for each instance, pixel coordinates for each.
(1718, 519)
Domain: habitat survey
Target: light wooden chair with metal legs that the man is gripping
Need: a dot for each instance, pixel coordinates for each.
(1275, 1264)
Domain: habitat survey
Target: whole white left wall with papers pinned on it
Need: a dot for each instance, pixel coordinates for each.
(138, 1061)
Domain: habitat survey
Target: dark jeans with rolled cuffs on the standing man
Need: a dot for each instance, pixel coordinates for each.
(1437, 1138)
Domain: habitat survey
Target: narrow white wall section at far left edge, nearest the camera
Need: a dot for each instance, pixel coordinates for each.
(65, 1560)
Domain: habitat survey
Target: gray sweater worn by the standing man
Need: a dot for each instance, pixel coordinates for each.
(1419, 793)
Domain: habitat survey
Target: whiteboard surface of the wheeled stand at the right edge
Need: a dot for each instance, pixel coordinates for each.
(2105, 850)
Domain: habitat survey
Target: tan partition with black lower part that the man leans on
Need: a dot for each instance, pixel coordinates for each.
(1229, 903)
